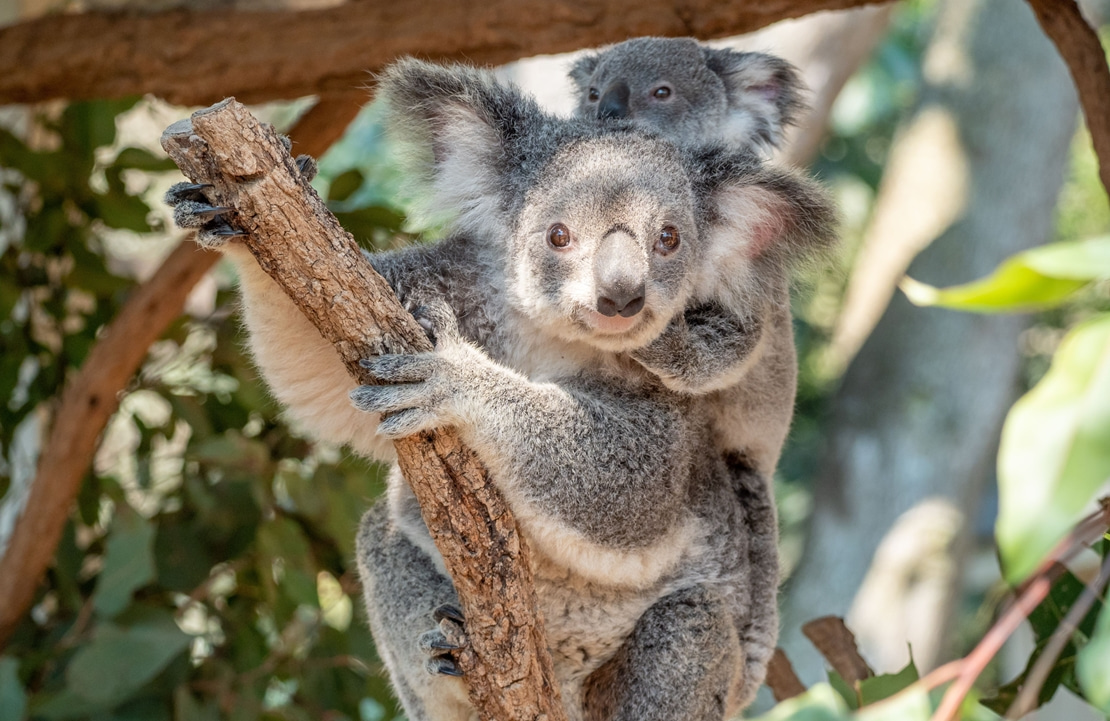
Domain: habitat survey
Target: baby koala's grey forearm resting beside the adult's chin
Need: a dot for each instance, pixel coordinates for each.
(707, 349)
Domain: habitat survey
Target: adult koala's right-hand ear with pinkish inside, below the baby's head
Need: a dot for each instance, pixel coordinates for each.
(768, 214)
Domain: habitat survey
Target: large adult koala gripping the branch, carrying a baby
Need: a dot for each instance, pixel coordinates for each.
(574, 245)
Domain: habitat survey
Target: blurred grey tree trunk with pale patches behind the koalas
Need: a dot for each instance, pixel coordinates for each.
(921, 409)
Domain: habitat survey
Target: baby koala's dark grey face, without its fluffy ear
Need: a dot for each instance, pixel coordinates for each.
(662, 85)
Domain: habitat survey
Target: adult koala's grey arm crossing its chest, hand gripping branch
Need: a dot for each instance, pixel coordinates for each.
(582, 462)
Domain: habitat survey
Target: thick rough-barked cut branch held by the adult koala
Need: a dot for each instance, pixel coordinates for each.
(319, 266)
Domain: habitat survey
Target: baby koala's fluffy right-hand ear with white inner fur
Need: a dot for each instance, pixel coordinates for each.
(765, 94)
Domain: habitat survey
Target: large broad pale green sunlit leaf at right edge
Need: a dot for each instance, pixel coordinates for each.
(1055, 452)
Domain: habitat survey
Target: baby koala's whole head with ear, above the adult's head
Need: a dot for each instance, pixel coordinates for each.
(691, 93)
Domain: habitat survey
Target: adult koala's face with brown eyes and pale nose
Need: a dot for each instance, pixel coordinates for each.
(604, 246)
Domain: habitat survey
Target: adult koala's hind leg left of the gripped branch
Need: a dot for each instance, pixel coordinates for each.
(412, 615)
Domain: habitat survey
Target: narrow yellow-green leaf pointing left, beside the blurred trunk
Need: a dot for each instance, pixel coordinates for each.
(1037, 279)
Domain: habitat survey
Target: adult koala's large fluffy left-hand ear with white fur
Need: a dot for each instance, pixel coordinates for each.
(458, 129)
